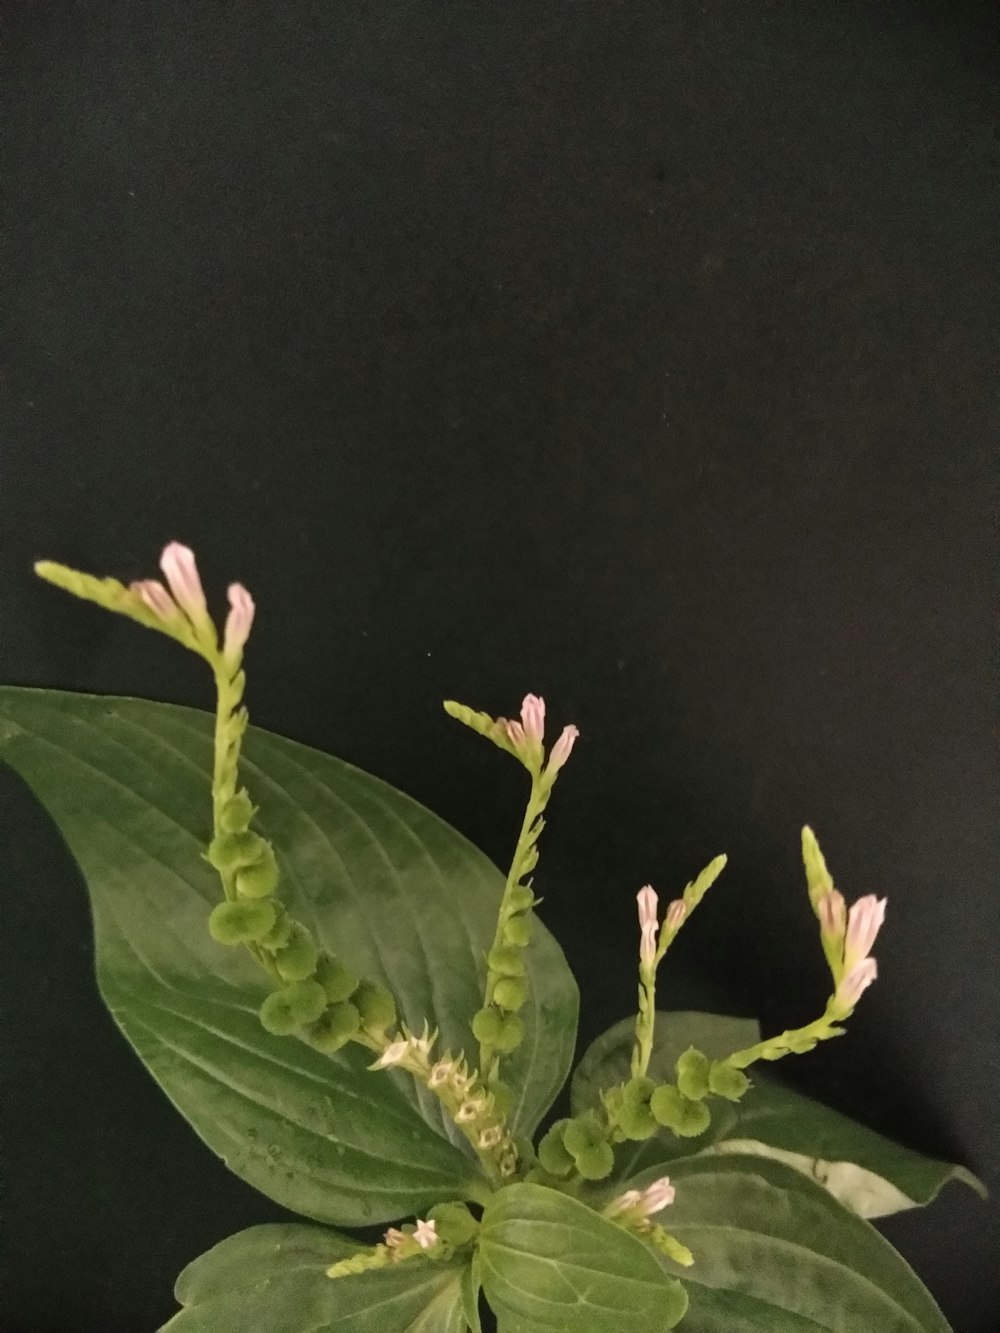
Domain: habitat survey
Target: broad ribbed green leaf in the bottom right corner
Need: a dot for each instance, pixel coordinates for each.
(775, 1252)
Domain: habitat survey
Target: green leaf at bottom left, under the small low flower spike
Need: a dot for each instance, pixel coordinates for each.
(274, 1279)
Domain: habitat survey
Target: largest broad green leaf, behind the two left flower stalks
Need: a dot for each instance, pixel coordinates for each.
(378, 878)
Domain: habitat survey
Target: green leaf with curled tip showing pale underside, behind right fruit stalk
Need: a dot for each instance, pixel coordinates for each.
(863, 1170)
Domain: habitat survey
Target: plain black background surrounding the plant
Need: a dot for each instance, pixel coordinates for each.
(639, 354)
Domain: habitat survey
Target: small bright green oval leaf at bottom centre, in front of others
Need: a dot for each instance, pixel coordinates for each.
(554, 1264)
